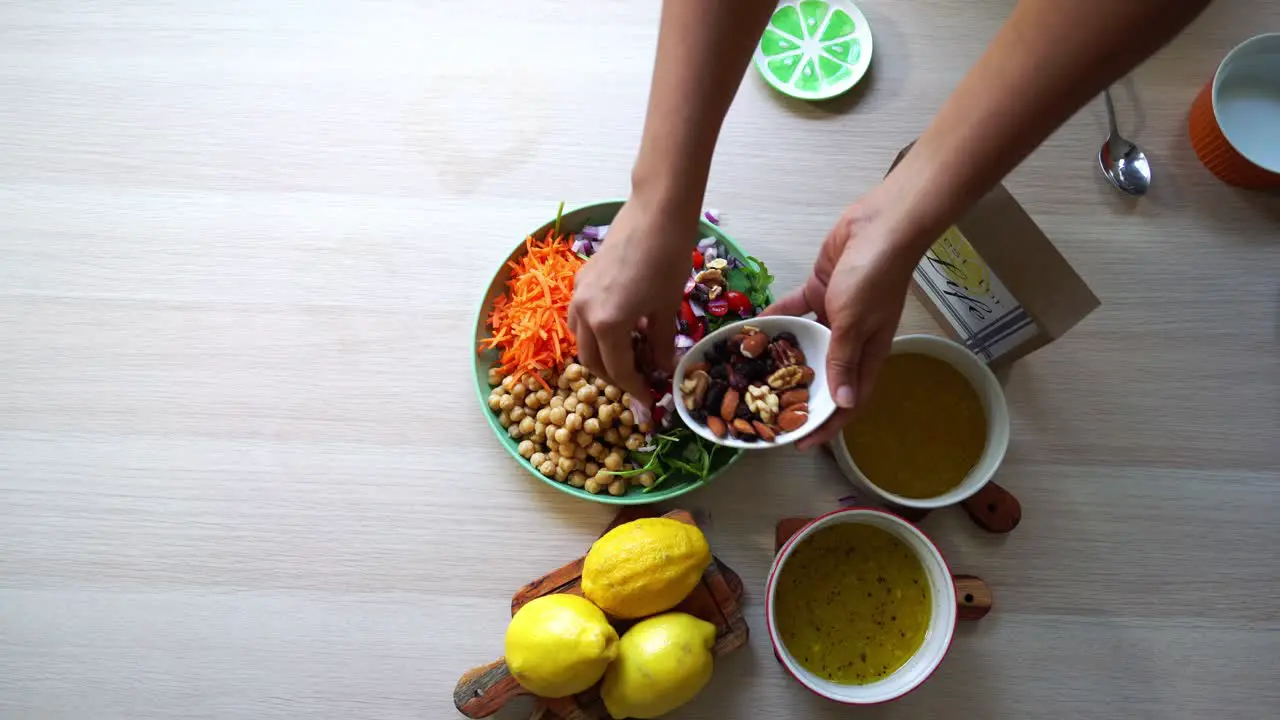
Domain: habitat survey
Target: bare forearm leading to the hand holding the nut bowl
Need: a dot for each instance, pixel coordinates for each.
(1049, 60)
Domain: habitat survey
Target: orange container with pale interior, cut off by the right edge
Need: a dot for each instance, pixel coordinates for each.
(1235, 122)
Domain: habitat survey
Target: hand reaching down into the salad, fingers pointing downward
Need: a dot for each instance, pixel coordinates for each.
(636, 282)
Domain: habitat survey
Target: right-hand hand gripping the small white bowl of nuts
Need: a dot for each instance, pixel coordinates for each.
(858, 289)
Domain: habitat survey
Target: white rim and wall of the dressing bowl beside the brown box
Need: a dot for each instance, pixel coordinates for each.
(994, 407)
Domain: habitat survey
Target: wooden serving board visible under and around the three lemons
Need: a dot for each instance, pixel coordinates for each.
(719, 600)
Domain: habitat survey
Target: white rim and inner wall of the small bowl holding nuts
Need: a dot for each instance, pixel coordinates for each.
(813, 338)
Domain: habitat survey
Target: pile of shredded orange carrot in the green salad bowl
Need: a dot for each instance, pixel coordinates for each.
(531, 321)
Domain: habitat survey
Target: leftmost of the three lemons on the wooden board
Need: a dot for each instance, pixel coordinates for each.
(560, 645)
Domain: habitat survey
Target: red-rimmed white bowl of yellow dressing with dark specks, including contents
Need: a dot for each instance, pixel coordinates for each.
(861, 607)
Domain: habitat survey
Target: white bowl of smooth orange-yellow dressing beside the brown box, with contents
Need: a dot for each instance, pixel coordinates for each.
(934, 431)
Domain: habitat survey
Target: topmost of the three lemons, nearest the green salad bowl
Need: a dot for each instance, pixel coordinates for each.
(644, 567)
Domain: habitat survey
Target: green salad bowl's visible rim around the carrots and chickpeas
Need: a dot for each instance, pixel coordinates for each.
(574, 222)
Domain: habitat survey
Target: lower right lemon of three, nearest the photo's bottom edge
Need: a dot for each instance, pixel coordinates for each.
(662, 664)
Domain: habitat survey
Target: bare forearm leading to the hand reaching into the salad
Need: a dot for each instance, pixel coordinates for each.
(703, 51)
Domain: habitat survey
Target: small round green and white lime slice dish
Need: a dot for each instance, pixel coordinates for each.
(815, 49)
